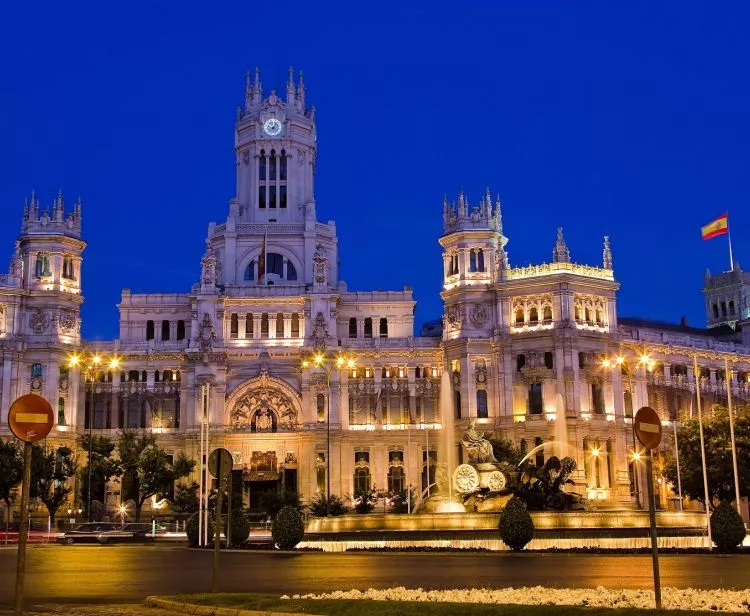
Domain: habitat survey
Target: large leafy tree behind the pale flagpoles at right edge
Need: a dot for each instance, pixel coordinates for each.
(719, 467)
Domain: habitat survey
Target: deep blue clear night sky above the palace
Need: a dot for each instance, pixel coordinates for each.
(630, 119)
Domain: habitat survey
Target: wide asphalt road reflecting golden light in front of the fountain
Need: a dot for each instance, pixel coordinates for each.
(91, 573)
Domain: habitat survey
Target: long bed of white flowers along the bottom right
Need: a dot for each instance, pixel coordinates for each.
(672, 598)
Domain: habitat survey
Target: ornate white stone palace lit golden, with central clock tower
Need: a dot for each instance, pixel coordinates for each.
(530, 353)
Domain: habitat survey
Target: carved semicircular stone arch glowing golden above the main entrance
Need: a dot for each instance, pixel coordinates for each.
(264, 404)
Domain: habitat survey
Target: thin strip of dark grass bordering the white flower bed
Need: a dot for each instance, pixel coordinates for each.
(272, 603)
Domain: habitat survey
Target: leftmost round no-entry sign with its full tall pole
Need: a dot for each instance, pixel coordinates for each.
(30, 418)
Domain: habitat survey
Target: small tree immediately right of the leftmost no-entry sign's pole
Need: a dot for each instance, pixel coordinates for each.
(50, 472)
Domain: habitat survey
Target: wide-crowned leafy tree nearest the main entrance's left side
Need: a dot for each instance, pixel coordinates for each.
(147, 469)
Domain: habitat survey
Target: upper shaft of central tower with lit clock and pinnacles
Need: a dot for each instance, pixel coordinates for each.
(275, 150)
